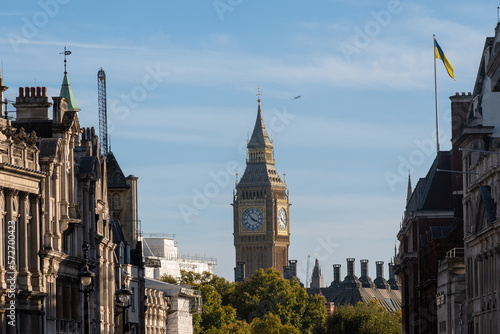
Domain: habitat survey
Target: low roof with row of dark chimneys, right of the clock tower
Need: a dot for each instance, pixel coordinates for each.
(352, 289)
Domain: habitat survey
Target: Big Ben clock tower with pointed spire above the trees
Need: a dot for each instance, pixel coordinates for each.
(260, 204)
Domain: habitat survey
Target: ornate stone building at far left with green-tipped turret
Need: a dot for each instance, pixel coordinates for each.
(53, 192)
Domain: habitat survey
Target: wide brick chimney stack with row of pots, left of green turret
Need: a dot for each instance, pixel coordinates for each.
(31, 104)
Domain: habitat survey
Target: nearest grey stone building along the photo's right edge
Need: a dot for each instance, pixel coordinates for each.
(480, 142)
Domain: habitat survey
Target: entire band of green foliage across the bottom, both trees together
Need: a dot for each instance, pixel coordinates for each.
(267, 303)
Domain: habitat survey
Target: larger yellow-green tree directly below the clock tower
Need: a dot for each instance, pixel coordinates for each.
(264, 303)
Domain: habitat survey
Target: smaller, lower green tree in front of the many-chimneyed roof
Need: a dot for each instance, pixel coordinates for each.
(367, 318)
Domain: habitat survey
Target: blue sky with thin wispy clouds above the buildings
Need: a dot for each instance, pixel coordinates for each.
(181, 83)
